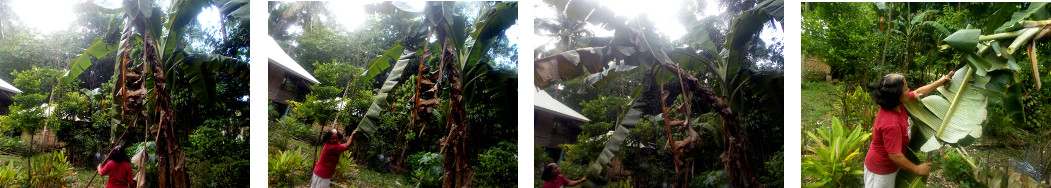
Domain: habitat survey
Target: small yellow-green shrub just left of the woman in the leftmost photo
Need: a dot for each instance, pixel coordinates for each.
(51, 170)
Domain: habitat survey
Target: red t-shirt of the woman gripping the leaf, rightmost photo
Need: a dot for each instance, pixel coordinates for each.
(890, 136)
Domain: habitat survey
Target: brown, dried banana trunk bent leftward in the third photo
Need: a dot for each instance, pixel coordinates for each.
(735, 160)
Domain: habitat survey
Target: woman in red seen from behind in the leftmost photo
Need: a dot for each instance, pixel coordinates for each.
(118, 169)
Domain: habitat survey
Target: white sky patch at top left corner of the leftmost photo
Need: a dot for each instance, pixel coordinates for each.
(57, 17)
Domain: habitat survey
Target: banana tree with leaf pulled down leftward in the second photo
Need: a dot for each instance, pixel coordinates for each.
(462, 70)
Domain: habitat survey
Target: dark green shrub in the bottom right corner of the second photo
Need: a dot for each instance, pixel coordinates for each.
(498, 168)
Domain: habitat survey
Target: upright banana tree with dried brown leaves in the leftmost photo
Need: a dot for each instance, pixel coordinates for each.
(151, 57)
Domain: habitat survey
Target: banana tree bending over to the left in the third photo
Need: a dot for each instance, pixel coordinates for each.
(635, 47)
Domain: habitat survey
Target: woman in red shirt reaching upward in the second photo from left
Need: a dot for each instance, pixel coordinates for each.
(329, 158)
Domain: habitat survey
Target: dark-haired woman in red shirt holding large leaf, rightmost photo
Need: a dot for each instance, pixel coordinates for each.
(891, 133)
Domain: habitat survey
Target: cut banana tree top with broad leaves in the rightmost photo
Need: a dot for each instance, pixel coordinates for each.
(957, 114)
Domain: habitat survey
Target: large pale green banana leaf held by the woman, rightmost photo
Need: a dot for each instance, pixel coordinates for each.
(957, 114)
